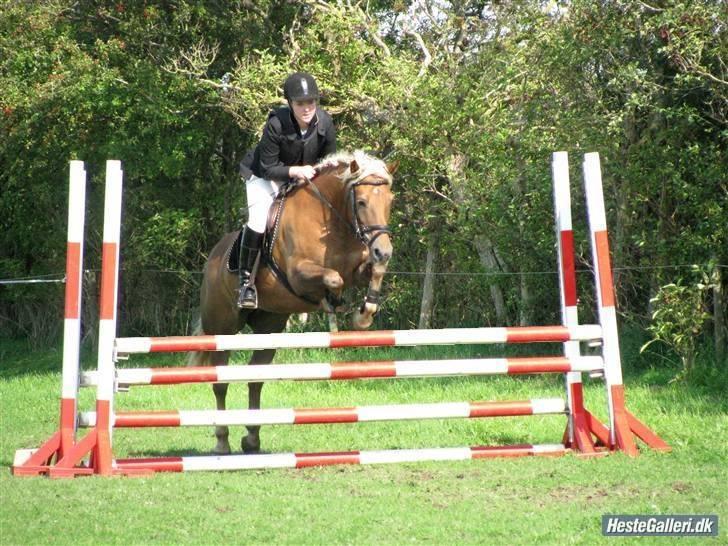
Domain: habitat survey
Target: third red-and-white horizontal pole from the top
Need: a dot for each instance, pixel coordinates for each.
(311, 416)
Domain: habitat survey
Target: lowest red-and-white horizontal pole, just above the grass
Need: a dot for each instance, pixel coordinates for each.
(304, 460)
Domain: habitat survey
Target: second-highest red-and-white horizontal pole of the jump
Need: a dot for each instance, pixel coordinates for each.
(350, 370)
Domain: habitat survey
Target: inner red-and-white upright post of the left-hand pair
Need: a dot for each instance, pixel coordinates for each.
(102, 455)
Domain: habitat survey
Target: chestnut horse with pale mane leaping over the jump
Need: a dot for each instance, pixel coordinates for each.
(331, 234)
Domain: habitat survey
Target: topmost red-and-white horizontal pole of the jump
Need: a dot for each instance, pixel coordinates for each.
(382, 338)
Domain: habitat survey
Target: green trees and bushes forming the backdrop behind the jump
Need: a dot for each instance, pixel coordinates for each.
(471, 97)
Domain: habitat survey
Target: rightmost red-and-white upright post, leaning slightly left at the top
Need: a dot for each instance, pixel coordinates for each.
(620, 434)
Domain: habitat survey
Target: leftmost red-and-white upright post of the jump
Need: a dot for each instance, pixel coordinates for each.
(72, 314)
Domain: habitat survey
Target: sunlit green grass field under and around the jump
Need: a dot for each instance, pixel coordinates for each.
(496, 501)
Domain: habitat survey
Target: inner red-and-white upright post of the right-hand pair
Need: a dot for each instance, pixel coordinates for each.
(578, 430)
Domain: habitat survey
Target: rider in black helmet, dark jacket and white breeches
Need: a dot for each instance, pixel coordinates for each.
(295, 138)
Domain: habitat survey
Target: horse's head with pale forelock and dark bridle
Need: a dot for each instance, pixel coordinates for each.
(369, 198)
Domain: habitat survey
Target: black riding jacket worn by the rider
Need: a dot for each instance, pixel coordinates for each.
(282, 145)
